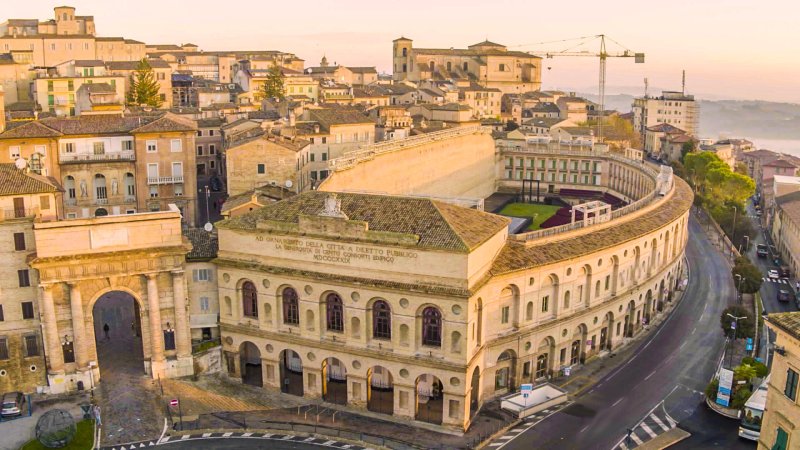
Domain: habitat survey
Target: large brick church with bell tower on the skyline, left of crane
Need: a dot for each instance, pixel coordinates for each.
(489, 64)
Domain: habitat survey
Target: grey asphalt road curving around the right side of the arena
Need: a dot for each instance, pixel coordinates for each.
(673, 366)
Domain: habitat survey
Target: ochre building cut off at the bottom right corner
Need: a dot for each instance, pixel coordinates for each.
(780, 424)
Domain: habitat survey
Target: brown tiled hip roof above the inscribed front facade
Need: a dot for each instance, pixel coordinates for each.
(438, 225)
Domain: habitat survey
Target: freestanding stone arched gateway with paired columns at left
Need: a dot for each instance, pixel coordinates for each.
(124, 271)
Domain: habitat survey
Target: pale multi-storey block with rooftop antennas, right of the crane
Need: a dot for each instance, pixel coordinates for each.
(673, 108)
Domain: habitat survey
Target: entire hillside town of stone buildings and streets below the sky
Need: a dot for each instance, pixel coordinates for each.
(203, 245)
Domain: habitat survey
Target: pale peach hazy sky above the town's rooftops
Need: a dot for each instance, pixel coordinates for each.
(729, 49)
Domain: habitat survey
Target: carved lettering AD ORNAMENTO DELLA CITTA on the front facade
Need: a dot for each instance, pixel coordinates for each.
(338, 253)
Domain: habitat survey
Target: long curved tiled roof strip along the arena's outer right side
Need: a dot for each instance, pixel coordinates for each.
(517, 256)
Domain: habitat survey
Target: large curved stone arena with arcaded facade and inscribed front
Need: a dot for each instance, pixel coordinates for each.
(418, 308)
